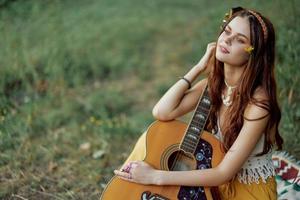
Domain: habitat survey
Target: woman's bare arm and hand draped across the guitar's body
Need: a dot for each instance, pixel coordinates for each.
(249, 135)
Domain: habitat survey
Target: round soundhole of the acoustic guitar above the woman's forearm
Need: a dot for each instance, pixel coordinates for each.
(179, 161)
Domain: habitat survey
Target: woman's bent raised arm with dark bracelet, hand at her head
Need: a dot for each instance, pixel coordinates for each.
(178, 101)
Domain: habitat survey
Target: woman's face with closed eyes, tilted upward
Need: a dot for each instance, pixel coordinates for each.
(233, 41)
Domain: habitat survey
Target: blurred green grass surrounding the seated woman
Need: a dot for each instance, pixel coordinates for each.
(79, 78)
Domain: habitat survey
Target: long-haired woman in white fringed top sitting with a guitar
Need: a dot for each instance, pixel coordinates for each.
(244, 116)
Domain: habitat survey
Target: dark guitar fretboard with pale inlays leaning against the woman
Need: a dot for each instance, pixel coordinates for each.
(197, 123)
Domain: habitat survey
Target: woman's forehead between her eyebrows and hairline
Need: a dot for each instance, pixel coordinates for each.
(240, 25)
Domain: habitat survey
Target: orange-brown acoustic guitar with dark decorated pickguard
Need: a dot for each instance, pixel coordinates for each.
(174, 146)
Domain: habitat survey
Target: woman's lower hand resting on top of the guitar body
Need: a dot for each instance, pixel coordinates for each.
(137, 172)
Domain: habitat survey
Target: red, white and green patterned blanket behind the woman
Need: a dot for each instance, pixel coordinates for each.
(287, 176)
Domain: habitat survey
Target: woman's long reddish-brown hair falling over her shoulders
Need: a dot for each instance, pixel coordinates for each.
(259, 72)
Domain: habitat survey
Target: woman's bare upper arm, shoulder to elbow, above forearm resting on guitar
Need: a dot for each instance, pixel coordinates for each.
(255, 122)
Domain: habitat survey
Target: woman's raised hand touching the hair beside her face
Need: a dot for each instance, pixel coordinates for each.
(205, 64)
